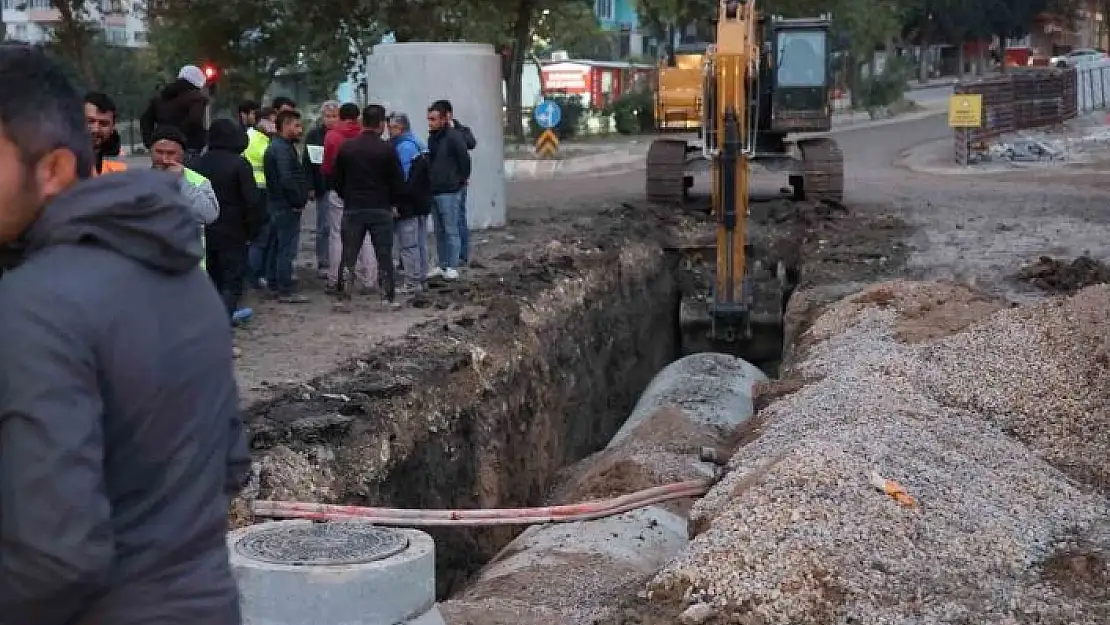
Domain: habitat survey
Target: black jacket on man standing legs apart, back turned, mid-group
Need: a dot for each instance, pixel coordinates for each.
(368, 174)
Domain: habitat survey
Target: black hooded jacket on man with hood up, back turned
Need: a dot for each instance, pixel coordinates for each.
(243, 211)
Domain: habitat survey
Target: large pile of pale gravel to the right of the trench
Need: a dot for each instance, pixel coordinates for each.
(798, 533)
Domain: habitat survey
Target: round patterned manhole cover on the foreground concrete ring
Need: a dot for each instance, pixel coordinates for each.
(321, 545)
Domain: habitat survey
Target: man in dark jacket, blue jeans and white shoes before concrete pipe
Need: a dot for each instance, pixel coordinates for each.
(449, 172)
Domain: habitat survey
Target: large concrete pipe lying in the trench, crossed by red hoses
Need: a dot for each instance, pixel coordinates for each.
(570, 574)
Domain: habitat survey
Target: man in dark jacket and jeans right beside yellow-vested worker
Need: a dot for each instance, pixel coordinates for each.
(287, 196)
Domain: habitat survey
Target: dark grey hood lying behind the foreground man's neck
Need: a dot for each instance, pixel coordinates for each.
(139, 215)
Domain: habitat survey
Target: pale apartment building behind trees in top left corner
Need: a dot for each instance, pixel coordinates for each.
(34, 22)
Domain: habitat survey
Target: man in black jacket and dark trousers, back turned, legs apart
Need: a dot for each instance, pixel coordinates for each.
(369, 179)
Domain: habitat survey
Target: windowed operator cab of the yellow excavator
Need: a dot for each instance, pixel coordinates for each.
(800, 76)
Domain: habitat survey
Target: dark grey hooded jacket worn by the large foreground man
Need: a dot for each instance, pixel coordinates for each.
(120, 435)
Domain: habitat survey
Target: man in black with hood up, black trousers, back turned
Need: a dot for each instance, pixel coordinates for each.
(241, 211)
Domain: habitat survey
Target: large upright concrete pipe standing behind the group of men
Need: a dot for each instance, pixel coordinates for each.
(409, 77)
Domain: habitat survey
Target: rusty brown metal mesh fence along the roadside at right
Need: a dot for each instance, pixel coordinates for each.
(1024, 99)
